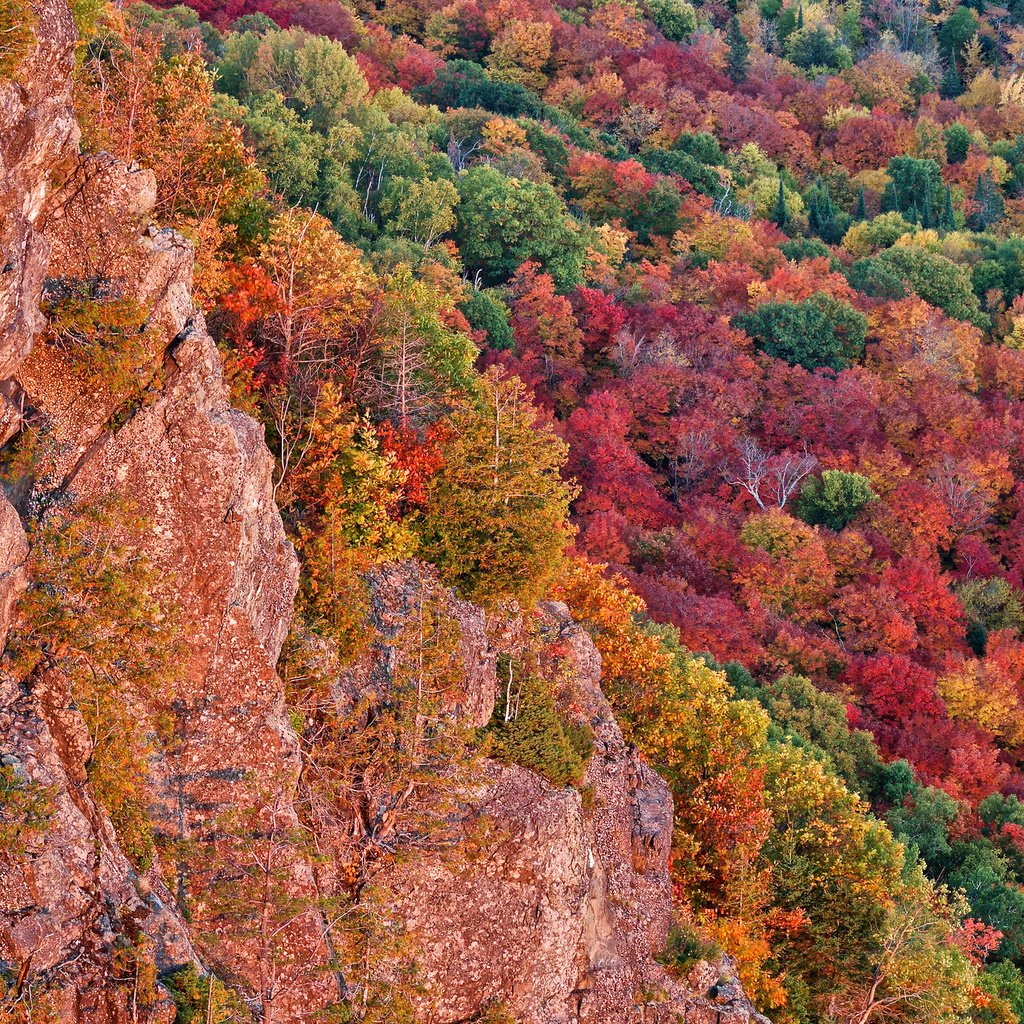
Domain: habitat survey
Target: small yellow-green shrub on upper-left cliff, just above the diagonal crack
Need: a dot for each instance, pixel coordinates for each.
(103, 338)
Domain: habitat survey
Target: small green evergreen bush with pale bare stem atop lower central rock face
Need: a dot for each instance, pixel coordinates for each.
(527, 730)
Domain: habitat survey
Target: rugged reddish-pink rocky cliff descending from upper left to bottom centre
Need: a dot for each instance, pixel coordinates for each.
(566, 900)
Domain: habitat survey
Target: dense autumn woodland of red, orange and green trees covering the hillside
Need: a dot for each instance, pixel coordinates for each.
(707, 321)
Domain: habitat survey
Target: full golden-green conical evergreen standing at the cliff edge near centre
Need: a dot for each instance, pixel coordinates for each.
(497, 518)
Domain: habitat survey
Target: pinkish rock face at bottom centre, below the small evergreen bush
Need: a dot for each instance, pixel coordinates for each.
(568, 902)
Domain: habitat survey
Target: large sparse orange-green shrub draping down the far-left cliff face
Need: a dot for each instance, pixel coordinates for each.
(92, 613)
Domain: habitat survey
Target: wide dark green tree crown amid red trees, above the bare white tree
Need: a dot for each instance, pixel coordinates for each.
(821, 332)
